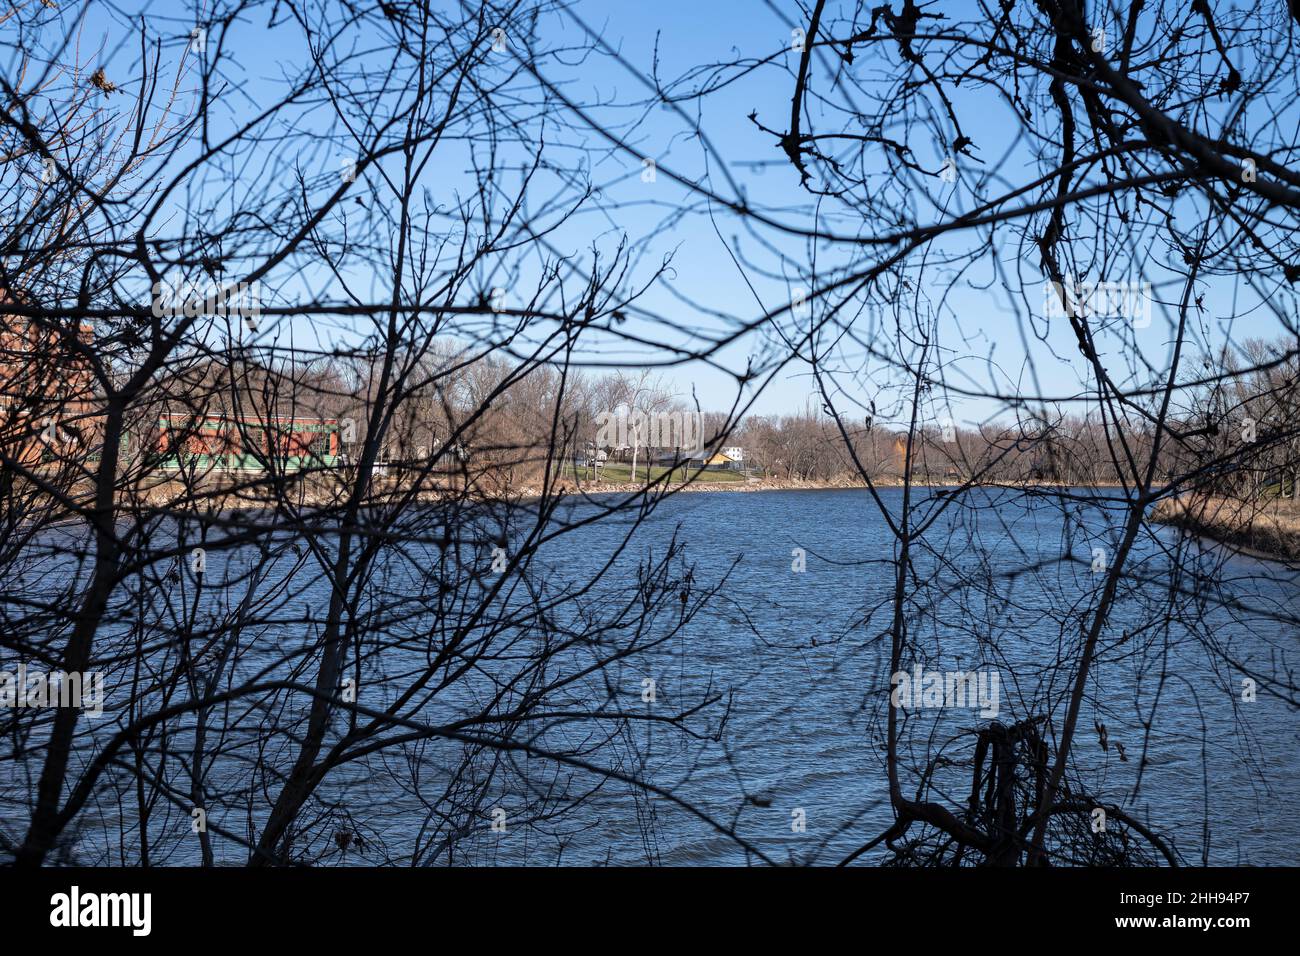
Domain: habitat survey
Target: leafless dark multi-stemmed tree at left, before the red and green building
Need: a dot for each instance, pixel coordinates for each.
(305, 374)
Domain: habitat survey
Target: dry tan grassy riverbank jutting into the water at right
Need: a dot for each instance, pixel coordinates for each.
(1267, 529)
